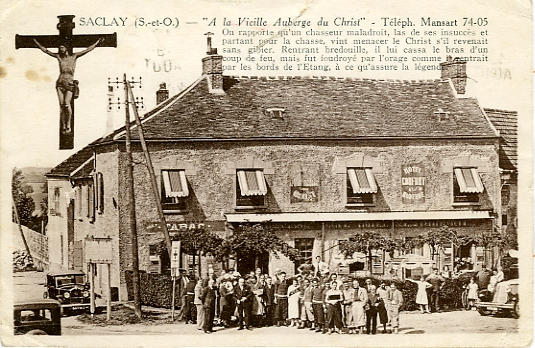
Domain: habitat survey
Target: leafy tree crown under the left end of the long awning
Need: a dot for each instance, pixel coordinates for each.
(256, 239)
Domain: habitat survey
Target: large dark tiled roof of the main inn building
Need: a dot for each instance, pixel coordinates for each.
(316, 108)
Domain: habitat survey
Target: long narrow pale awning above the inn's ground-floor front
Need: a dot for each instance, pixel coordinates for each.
(376, 216)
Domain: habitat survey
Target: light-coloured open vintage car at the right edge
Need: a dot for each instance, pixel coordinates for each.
(504, 298)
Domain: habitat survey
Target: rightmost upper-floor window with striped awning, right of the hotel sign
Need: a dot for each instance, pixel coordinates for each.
(466, 185)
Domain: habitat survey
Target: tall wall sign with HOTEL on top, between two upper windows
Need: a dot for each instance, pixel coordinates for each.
(413, 183)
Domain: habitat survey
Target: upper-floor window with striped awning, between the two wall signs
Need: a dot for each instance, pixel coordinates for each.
(360, 185)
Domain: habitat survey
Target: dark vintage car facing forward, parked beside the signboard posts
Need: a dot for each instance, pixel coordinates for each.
(70, 289)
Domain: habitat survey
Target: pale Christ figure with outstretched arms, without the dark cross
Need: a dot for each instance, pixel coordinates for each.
(65, 85)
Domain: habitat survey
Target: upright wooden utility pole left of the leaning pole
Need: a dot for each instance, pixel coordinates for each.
(131, 204)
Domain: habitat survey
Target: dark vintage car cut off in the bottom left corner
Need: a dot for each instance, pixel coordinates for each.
(37, 317)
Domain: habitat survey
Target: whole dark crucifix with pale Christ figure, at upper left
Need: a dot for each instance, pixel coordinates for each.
(66, 86)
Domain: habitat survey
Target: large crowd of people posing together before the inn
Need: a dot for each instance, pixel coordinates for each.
(314, 299)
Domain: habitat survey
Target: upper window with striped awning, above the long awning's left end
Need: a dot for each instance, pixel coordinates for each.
(251, 188)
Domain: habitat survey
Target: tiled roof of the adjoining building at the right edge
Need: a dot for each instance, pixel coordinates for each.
(506, 123)
